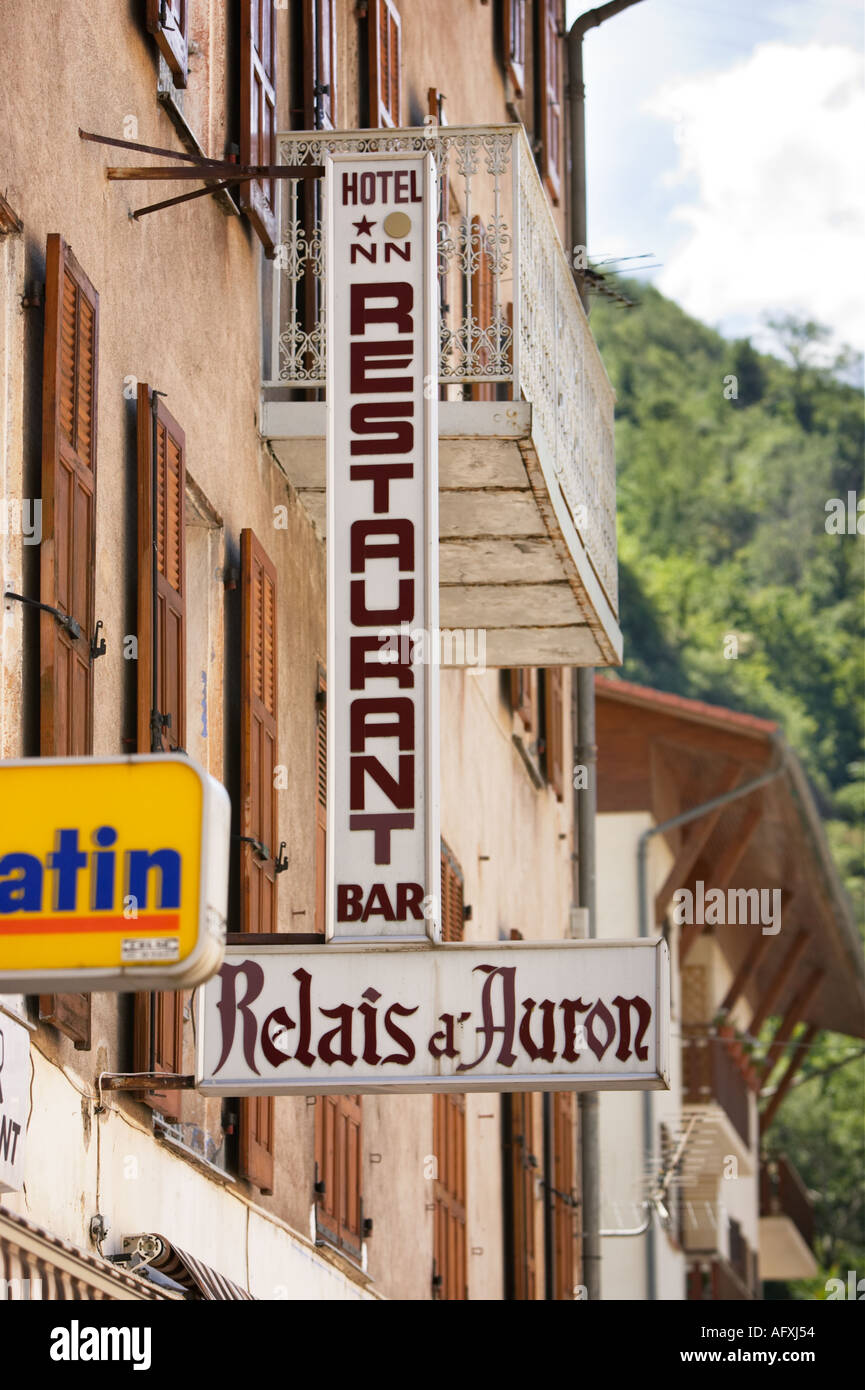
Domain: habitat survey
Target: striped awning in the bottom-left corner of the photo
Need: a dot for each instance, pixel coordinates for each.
(58, 1270)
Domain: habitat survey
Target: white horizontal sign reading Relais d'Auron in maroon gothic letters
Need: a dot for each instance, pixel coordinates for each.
(578, 1015)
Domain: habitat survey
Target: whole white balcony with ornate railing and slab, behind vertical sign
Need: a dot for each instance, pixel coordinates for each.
(528, 484)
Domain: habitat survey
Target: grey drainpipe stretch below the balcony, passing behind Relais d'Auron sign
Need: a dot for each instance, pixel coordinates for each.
(585, 810)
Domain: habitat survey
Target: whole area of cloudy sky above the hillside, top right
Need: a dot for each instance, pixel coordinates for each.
(727, 140)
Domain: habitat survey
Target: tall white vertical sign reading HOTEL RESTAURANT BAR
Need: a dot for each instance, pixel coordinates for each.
(383, 843)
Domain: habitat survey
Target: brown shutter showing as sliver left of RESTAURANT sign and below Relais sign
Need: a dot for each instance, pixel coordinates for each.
(339, 1118)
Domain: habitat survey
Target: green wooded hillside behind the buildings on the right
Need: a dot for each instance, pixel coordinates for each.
(724, 548)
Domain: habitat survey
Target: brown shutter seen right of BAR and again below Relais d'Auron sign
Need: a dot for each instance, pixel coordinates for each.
(450, 1264)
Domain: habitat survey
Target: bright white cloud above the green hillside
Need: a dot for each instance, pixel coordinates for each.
(770, 190)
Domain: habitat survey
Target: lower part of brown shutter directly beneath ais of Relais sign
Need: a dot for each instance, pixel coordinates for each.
(339, 1171)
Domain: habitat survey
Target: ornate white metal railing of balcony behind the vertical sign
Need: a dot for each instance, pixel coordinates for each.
(512, 325)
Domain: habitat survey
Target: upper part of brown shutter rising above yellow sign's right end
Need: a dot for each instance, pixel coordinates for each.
(172, 575)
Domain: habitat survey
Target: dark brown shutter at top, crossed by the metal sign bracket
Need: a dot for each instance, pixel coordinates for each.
(259, 116)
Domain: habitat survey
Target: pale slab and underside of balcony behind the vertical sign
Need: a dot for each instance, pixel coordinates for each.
(512, 562)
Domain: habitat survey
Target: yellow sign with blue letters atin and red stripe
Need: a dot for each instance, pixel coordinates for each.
(113, 874)
